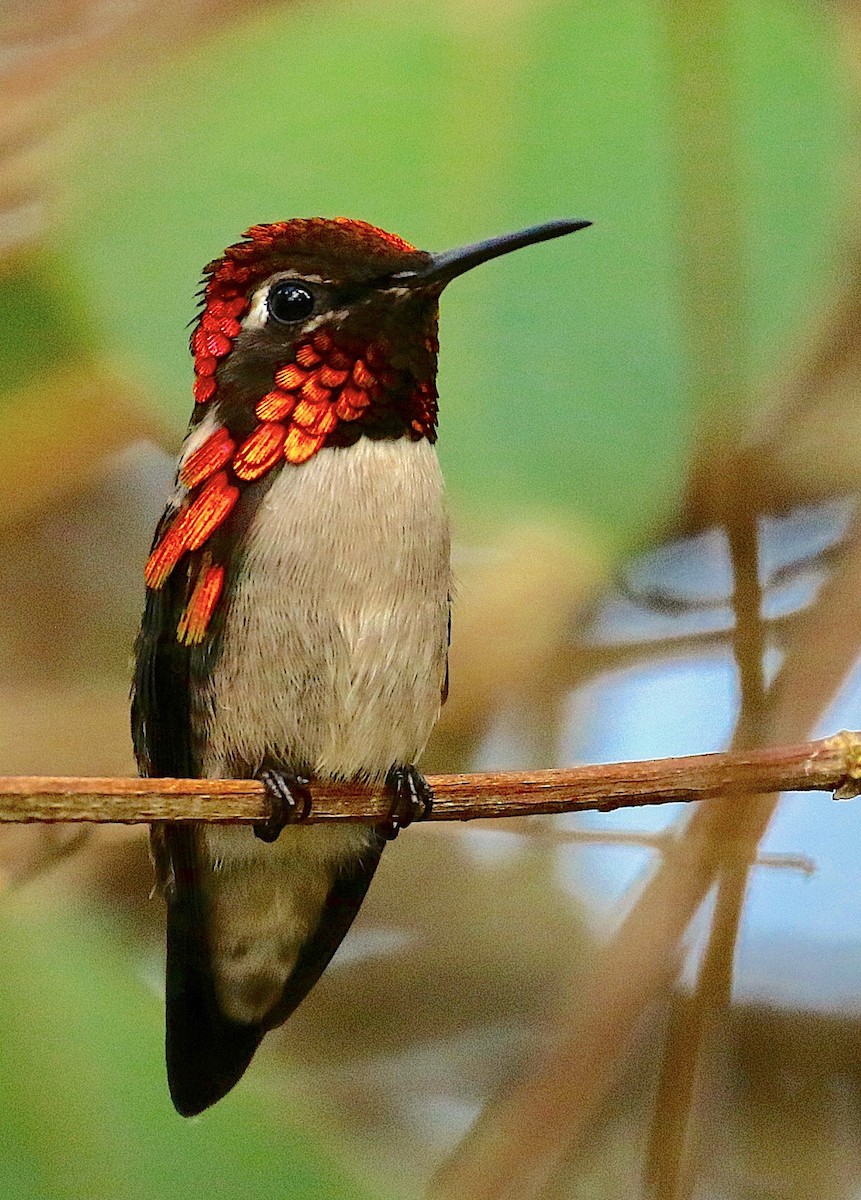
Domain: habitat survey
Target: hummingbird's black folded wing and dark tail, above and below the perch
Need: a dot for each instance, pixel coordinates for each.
(207, 1054)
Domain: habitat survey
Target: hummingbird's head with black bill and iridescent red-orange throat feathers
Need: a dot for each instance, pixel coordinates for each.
(314, 333)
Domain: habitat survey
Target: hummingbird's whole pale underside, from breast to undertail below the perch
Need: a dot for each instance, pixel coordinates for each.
(334, 659)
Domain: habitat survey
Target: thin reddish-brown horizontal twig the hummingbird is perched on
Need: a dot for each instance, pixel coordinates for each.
(830, 765)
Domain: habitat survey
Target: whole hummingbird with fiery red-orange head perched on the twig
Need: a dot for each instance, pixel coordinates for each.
(298, 613)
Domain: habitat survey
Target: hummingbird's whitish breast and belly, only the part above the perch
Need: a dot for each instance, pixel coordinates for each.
(335, 644)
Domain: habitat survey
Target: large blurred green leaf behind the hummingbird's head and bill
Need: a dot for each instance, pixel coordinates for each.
(563, 375)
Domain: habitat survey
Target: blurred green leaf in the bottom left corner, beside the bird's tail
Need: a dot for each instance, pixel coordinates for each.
(86, 1111)
